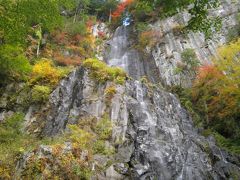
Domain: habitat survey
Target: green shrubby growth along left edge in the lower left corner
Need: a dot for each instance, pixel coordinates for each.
(13, 142)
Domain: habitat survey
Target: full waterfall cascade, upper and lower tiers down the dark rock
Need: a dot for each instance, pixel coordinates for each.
(166, 145)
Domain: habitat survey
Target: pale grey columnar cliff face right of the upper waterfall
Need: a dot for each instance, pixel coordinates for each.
(167, 52)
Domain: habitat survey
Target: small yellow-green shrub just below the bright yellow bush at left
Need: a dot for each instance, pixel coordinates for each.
(40, 93)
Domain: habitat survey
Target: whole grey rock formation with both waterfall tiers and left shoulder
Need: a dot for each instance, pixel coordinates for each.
(153, 134)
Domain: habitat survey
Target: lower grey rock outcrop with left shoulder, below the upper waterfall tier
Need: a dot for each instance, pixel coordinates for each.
(156, 136)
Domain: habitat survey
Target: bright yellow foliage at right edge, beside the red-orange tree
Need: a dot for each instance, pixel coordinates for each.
(228, 62)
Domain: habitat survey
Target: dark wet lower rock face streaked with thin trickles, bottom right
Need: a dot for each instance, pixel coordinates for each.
(166, 145)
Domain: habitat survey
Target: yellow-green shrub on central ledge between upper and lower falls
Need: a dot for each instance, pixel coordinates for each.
(100, 72)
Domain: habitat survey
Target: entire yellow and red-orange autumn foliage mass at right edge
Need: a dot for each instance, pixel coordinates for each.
(216, 91)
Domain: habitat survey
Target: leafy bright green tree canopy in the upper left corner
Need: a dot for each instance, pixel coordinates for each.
(18, 17)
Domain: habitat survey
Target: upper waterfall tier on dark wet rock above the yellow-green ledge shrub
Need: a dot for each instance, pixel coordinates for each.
(136, 64)
